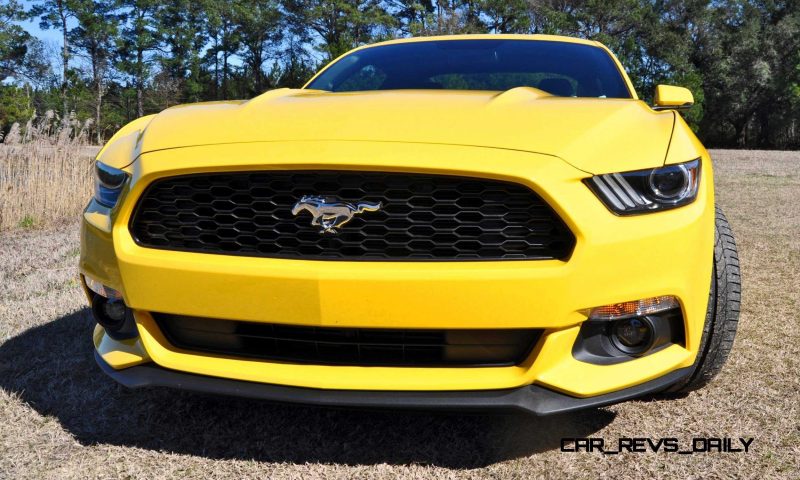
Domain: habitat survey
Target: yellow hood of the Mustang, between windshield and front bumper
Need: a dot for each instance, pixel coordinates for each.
(592, 134)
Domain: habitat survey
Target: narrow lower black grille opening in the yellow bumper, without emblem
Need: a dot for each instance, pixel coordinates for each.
(349, 346)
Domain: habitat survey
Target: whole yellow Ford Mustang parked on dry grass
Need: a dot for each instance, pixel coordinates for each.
(451, 222)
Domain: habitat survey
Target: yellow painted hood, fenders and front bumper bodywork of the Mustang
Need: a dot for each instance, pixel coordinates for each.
(549, 144)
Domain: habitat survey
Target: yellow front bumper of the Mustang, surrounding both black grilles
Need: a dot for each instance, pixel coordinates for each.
(615, 259)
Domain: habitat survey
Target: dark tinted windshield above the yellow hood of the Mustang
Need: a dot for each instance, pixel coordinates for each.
(559, 68)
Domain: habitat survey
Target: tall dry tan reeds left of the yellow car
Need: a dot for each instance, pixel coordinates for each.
(45, 172)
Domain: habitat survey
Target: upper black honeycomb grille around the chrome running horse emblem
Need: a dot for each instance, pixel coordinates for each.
(423, 217)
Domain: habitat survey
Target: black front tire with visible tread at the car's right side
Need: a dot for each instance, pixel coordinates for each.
(722, 315)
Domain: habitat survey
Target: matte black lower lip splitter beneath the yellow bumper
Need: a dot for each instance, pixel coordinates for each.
(531, 399)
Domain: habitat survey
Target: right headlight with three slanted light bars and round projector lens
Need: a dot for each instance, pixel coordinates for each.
(651, 190)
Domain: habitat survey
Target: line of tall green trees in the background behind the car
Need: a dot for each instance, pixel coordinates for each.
(120, 59)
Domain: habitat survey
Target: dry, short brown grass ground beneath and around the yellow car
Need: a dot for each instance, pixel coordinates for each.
(60, 417)
